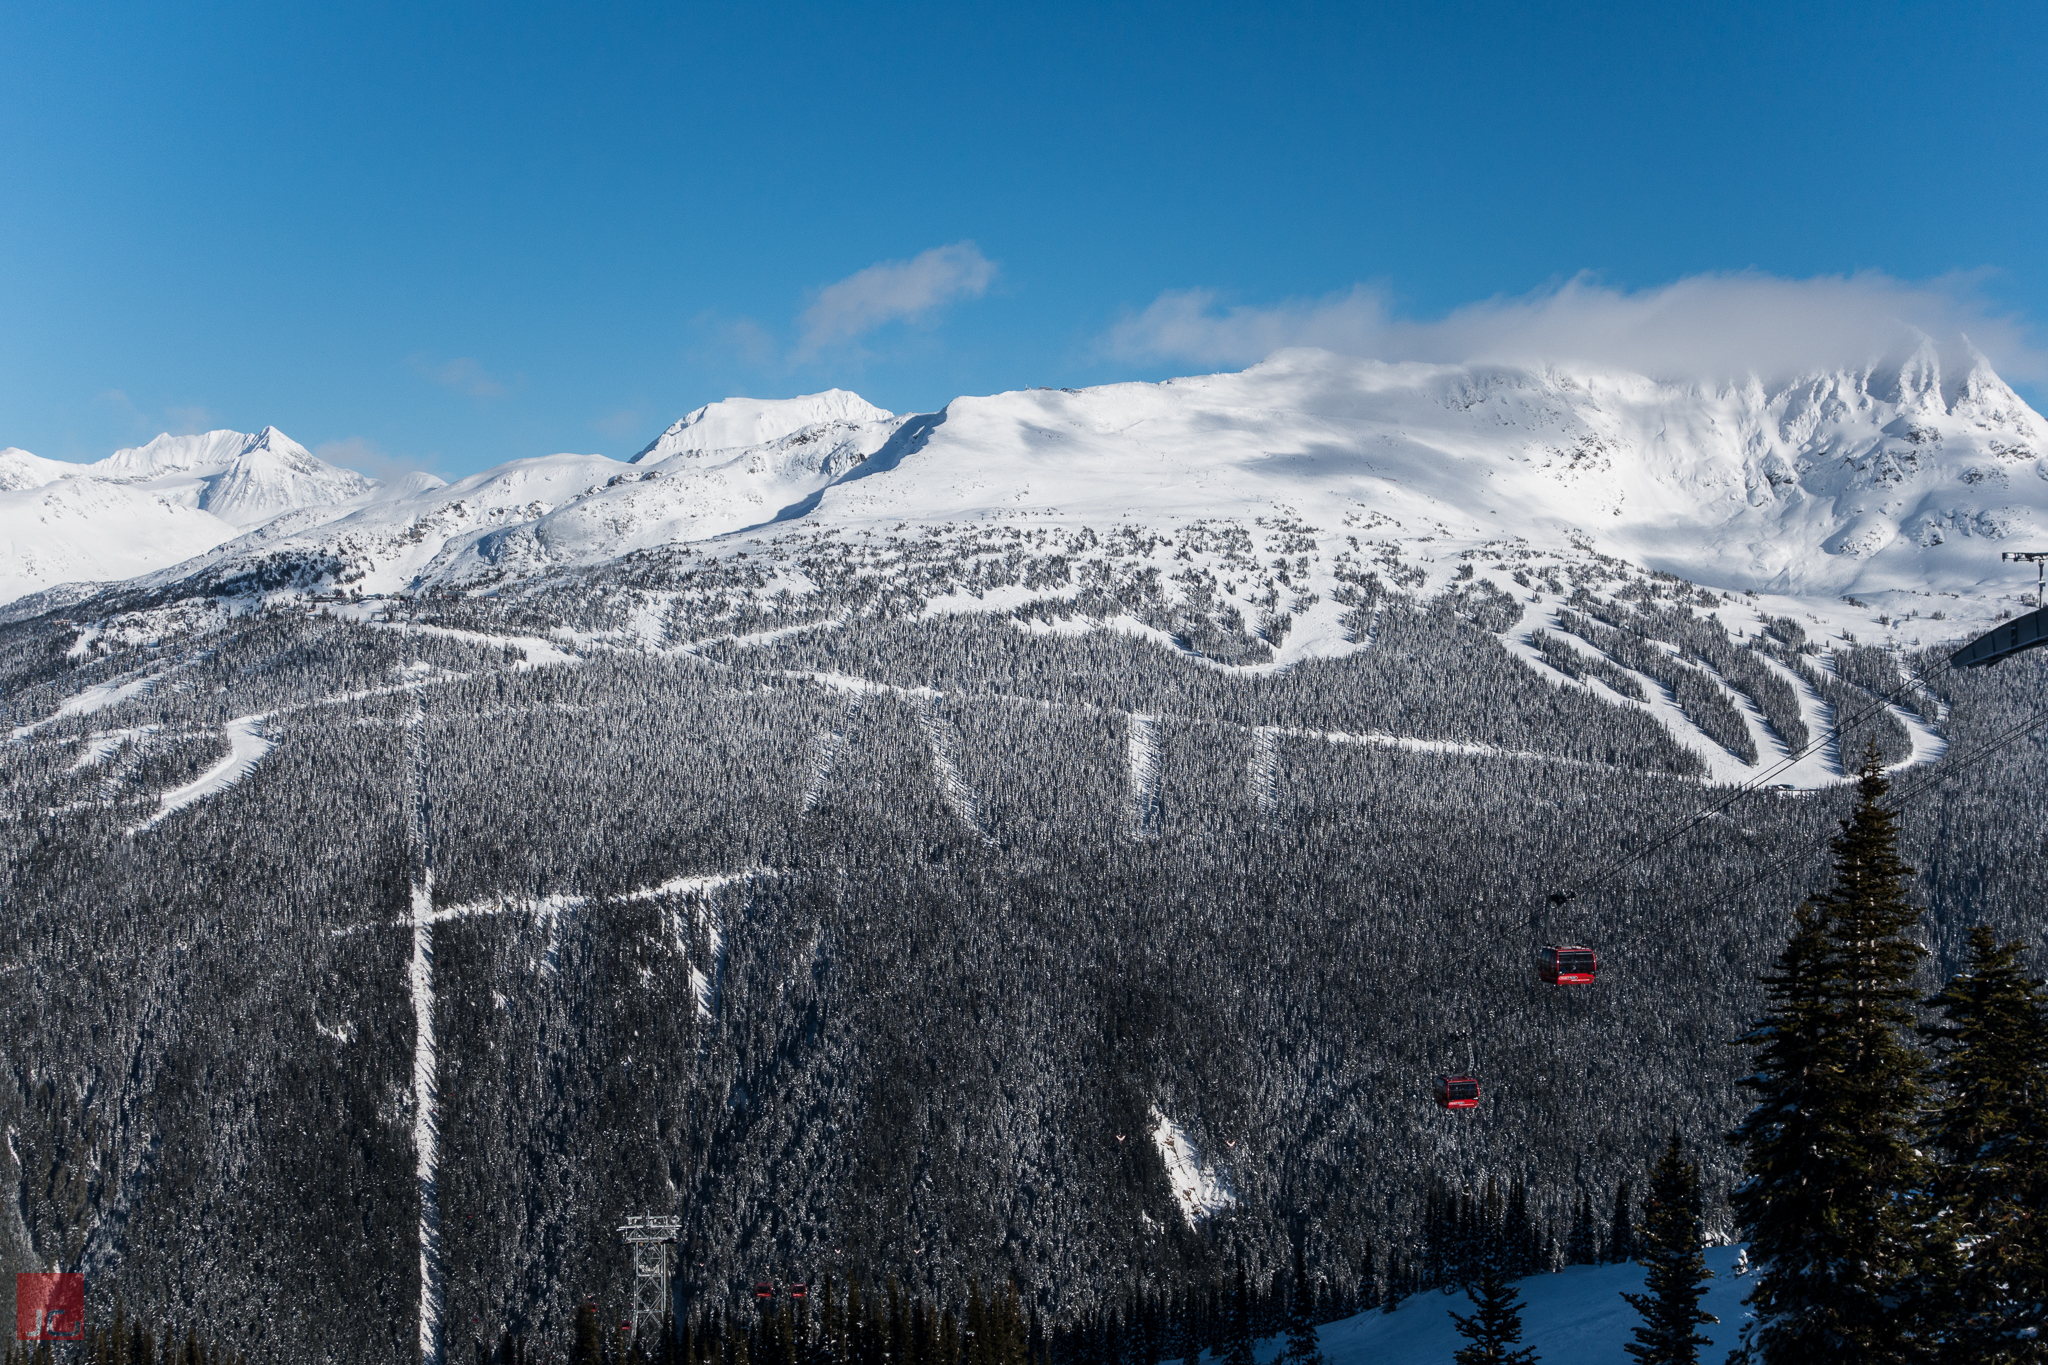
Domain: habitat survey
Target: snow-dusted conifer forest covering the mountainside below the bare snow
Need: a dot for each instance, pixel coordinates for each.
(1027, 992)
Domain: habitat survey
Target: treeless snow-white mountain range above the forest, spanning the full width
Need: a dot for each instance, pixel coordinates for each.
(1893, 484)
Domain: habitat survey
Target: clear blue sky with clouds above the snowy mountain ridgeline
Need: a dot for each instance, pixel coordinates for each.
(447, 236)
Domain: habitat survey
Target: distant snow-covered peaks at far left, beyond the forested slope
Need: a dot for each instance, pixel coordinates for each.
(159, 504)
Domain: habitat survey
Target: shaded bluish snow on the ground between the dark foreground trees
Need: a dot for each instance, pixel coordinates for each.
(1572, 1319)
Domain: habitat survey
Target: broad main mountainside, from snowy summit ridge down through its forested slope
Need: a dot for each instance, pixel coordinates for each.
(1002, 785)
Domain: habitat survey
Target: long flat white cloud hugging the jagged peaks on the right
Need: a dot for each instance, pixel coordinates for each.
(1705, 326)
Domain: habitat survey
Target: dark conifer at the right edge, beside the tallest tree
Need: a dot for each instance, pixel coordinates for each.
(1986, 1284)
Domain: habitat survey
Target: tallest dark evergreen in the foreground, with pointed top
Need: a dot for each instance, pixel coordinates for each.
(1830, 1149)
